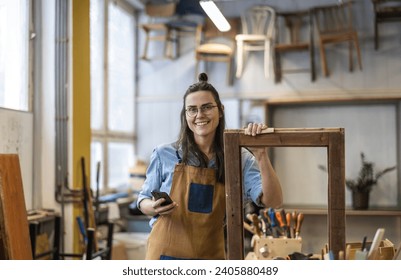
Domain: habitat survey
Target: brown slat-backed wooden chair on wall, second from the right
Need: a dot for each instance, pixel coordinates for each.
(334, 25)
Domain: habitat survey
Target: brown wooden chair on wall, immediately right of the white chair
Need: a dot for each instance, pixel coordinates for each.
(294, 33)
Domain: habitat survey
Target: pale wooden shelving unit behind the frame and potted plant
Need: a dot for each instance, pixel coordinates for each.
(384, 149)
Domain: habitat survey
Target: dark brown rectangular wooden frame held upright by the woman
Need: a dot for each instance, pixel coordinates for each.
(331, 138)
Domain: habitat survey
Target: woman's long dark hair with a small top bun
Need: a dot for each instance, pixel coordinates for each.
(186, 138)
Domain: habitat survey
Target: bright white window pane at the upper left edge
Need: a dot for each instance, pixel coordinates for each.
(14, 54)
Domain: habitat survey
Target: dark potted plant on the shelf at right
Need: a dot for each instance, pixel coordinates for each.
(363, 184)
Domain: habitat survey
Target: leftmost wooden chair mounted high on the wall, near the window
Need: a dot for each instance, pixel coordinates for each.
(156, 29)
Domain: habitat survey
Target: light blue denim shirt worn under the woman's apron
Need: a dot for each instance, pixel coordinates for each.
(159, 175)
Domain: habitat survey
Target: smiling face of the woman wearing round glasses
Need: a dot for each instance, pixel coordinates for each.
(202, 114)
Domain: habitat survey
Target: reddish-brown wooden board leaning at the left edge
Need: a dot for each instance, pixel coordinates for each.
(14, 230)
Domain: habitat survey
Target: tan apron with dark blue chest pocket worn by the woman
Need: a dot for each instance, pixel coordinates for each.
(195, 228)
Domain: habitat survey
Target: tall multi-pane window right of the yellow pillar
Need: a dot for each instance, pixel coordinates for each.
(112, 93)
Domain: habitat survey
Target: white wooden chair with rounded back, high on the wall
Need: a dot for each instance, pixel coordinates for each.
(258, 31)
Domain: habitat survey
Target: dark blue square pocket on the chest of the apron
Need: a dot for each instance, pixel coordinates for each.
(200, 198)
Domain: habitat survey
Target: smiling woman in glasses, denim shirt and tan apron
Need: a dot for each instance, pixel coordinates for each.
(191, 170)
